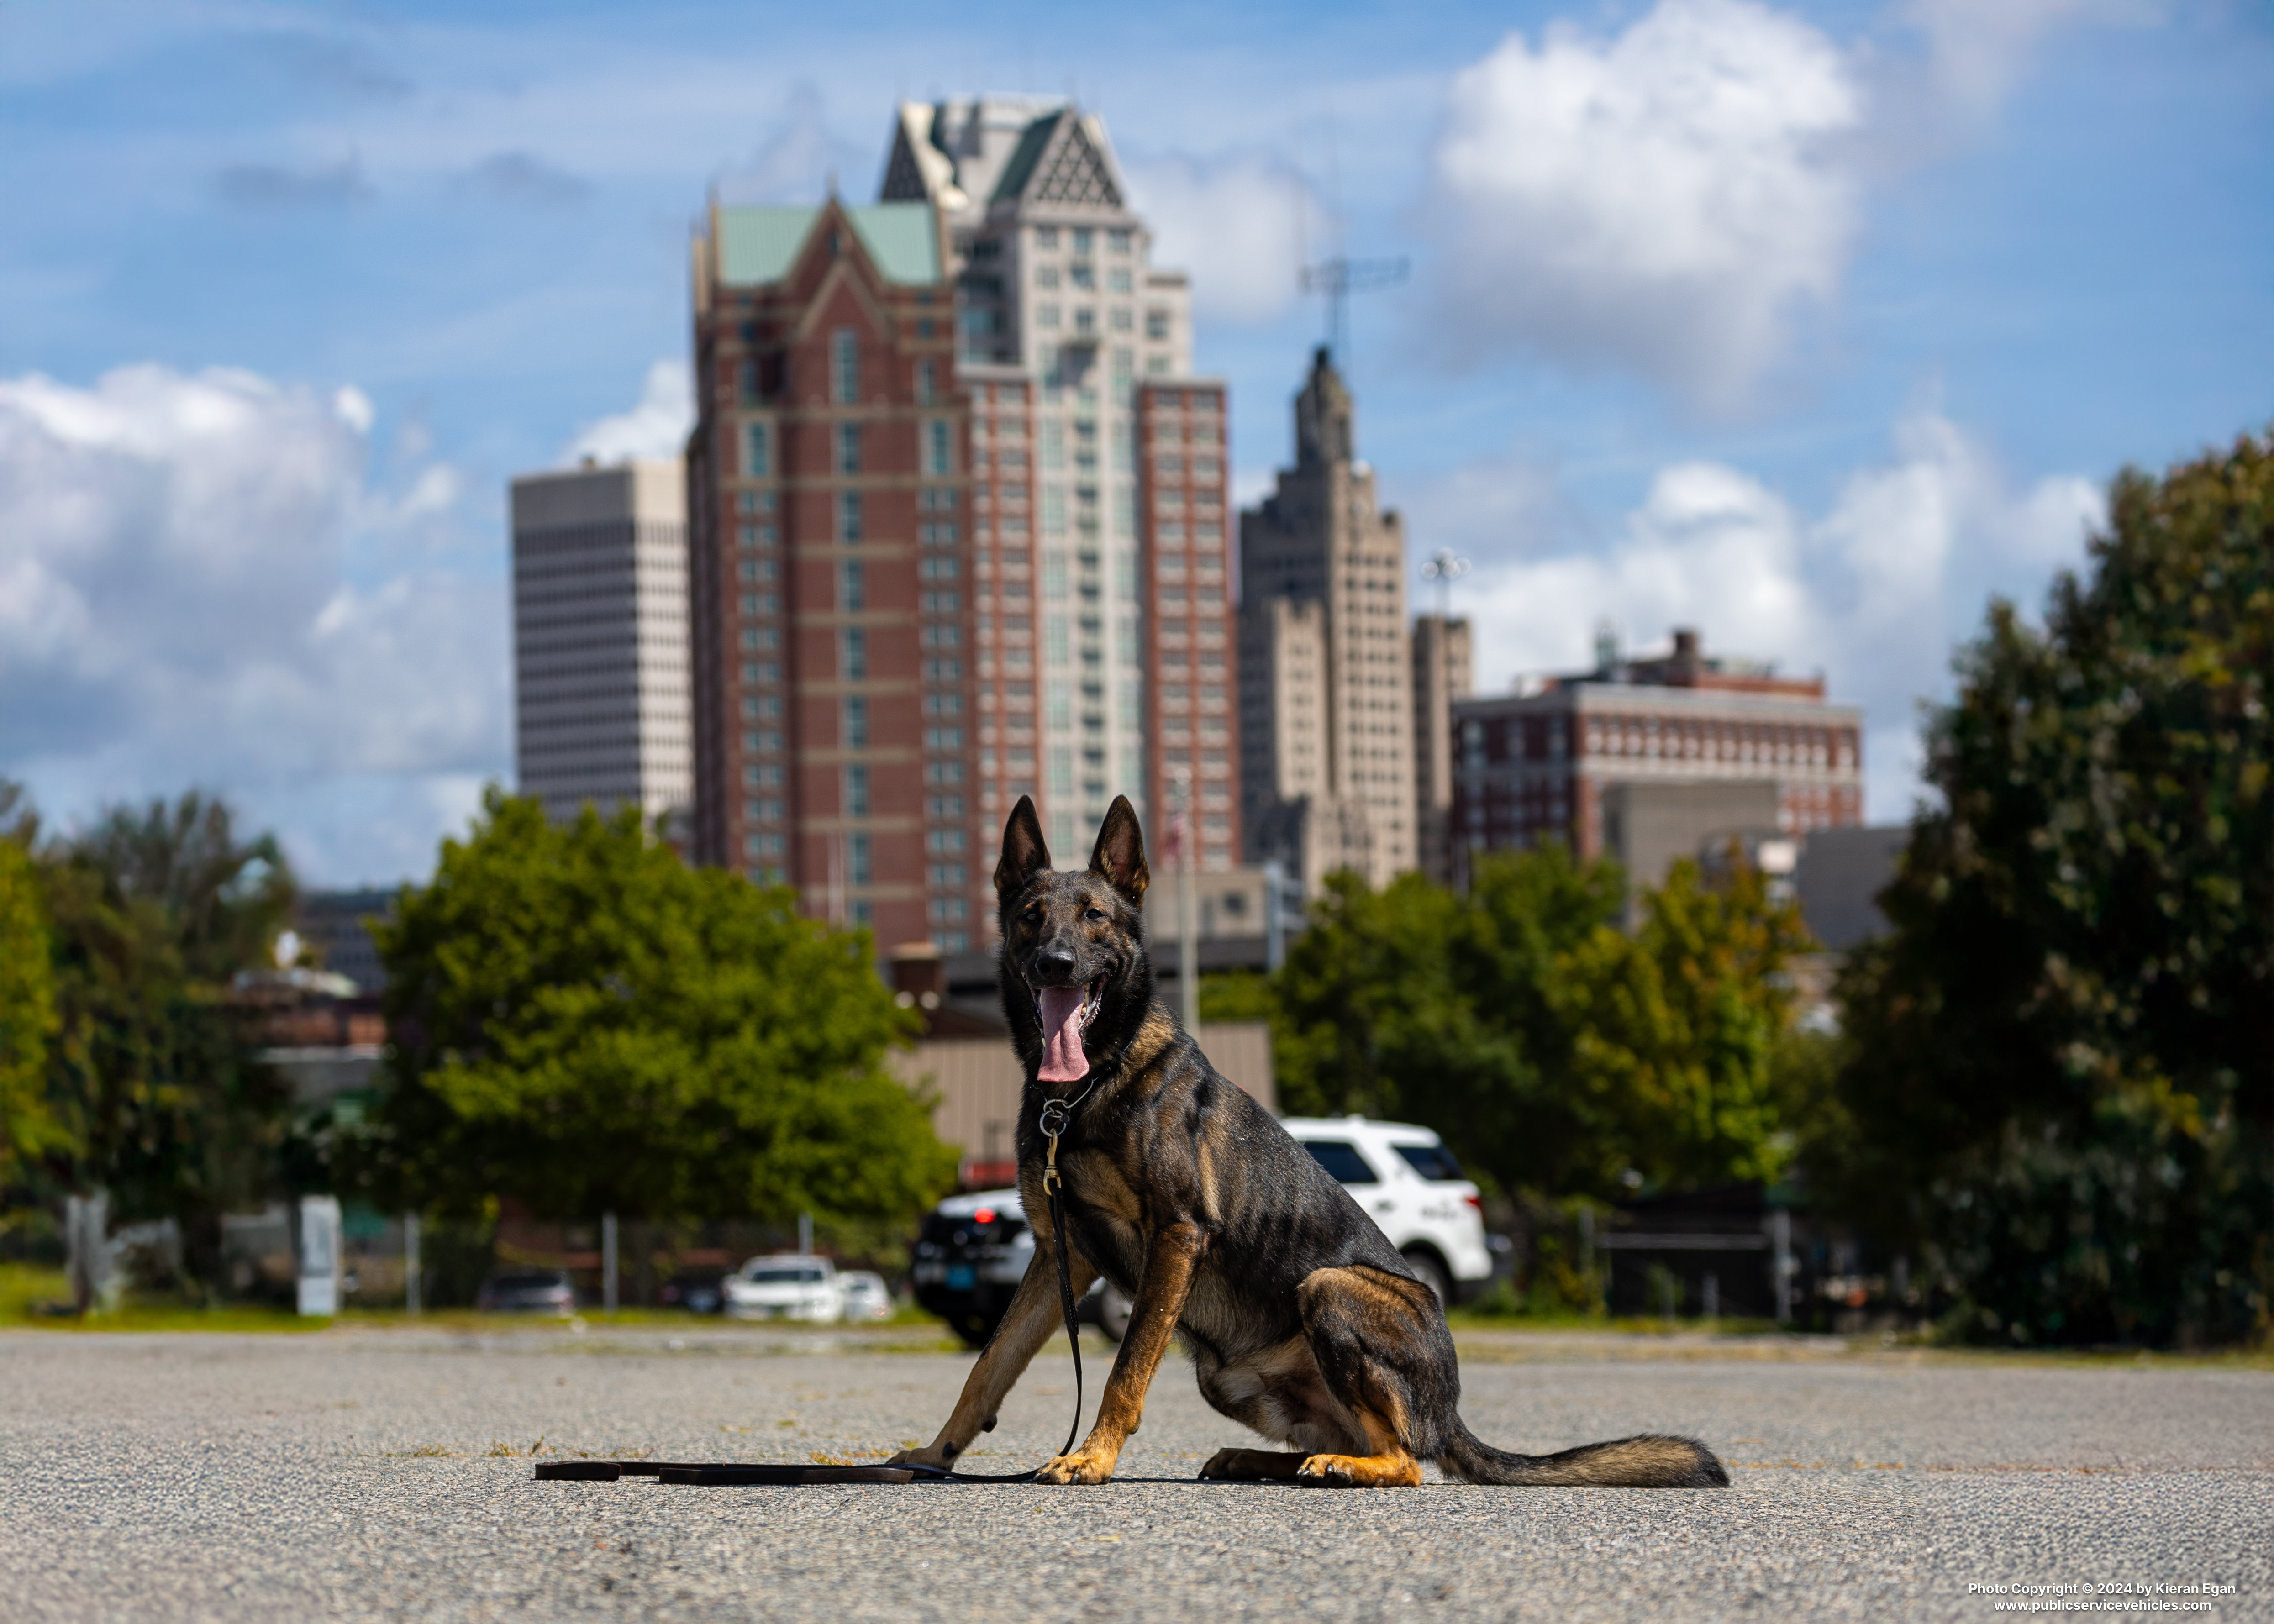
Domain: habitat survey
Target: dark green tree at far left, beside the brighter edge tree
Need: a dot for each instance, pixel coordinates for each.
(156, 1072)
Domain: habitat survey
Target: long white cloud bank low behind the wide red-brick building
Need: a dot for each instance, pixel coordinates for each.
(1873, 593)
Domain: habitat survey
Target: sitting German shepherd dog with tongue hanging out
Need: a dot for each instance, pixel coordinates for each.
(1179, 1188)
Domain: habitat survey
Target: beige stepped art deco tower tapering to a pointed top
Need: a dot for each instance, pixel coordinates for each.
(1325, 661)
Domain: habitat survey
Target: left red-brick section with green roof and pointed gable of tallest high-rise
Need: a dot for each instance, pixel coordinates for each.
(833, 618)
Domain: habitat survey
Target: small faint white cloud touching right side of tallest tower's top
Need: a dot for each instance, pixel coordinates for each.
(1236, 226)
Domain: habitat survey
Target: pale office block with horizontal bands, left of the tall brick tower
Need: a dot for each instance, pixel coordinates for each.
(601, 699)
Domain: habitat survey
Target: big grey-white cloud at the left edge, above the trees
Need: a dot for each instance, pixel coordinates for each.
(201, 588)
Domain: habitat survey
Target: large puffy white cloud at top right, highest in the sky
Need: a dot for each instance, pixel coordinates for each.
(1668, 199)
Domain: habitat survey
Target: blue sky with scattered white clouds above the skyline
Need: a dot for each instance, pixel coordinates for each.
(1807, 324)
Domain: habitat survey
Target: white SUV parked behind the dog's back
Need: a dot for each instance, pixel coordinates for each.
(1411, 1186)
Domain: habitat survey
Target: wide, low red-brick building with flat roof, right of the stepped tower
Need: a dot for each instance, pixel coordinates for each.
(1648, 761)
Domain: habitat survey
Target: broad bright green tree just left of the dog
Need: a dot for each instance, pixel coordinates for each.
(583, 1025)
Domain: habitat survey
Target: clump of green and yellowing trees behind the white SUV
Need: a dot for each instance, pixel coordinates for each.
(1547, 1045)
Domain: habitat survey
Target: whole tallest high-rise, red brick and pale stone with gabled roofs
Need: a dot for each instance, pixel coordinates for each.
(958, 527)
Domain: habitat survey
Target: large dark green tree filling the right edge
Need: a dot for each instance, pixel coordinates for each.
(2059, 1061)
